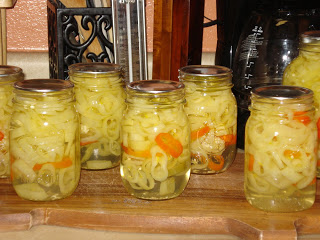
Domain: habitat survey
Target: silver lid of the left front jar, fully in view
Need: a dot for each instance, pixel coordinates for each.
(43, 85)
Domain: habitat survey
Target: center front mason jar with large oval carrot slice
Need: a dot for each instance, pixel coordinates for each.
(155, 161)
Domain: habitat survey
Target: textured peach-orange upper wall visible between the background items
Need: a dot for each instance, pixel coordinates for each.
(27, 26)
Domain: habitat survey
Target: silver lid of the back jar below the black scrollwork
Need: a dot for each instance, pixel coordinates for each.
(94, 68)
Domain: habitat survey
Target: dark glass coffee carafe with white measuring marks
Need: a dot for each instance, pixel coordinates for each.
(268, 43)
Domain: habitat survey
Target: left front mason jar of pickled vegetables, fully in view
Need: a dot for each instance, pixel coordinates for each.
(44, 140)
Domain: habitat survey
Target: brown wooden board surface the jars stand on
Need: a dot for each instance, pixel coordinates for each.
(211, 204)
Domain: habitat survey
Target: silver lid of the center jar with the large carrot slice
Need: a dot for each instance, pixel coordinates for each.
(155, 86)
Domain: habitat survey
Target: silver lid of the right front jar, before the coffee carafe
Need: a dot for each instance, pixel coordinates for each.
(282, 92)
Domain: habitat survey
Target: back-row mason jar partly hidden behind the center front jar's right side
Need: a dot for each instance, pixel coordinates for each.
(212, 111)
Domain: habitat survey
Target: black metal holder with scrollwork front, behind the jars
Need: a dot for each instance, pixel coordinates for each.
(66, 43)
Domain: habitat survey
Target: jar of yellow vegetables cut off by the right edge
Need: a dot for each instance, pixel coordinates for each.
(304, 71)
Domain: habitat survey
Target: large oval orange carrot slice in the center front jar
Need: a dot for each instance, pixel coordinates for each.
(169, 144)
